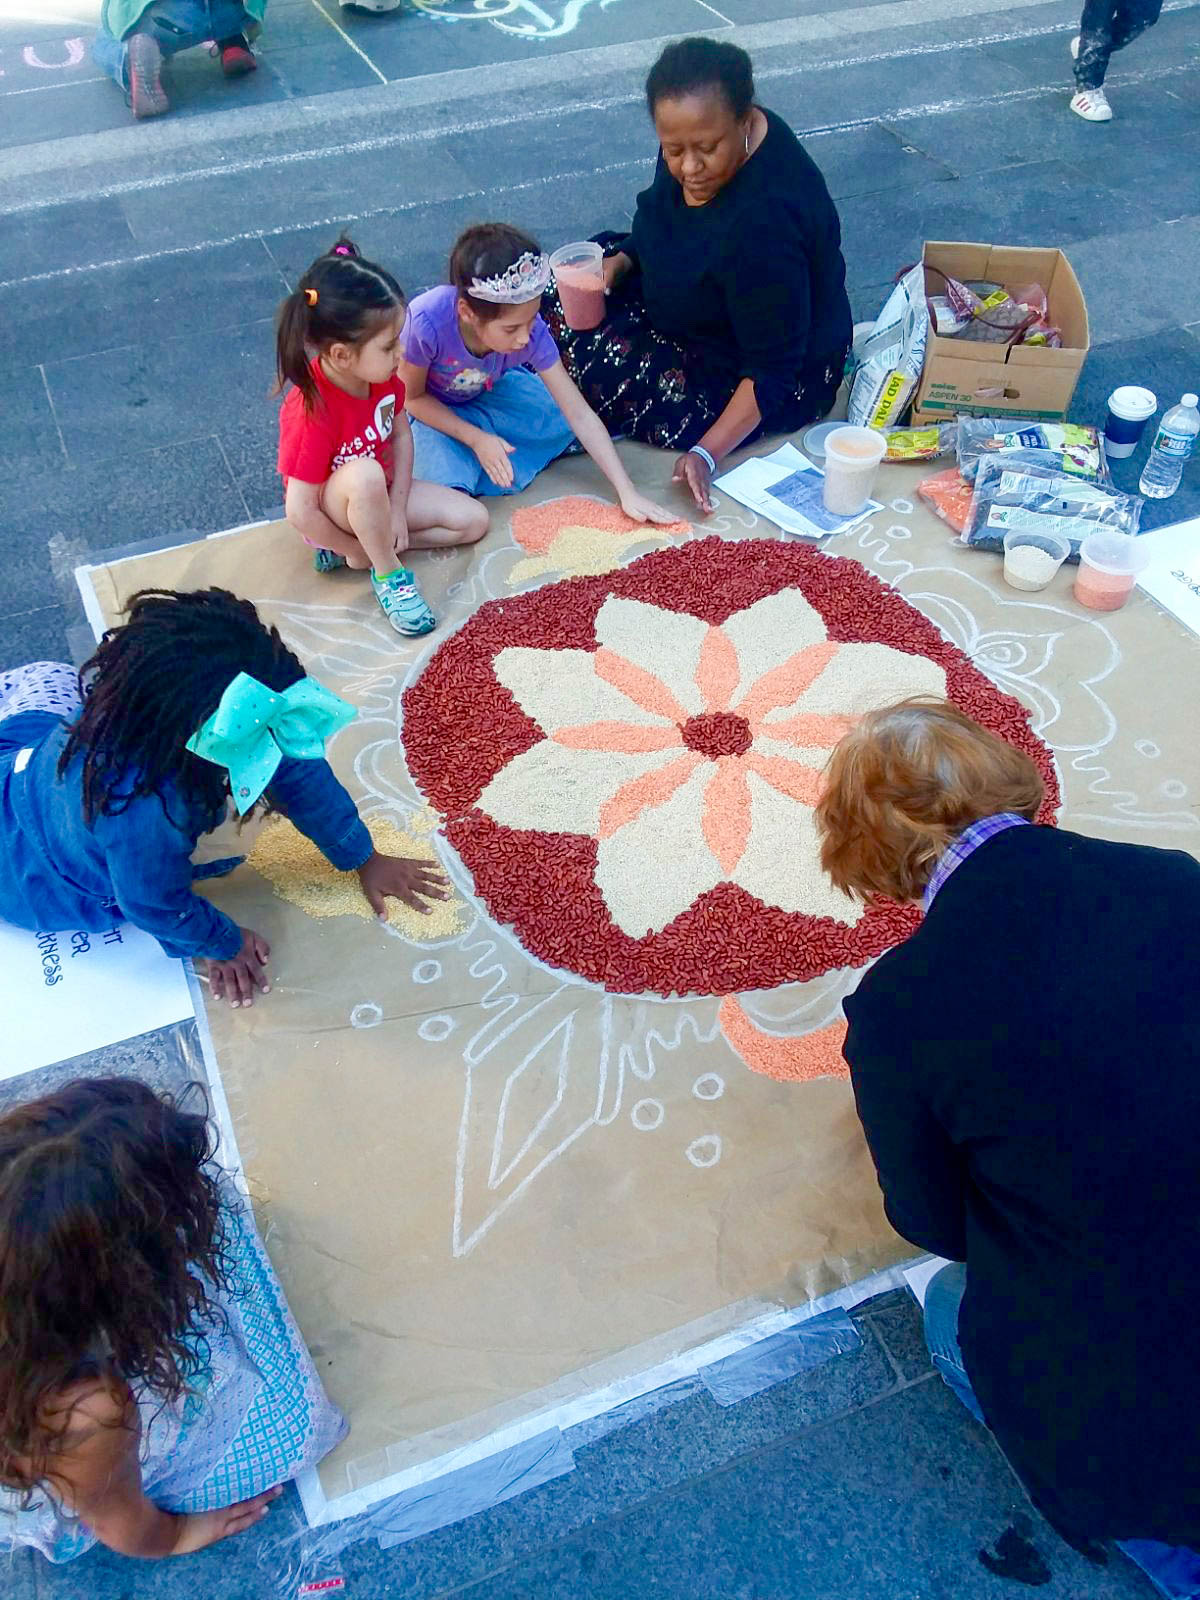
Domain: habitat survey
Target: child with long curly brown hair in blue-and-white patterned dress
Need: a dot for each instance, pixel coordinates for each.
(154, 1390)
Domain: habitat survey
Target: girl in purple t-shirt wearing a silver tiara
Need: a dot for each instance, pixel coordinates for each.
(482, 422)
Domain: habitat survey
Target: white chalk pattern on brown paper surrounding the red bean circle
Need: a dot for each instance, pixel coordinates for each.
(550, 1060)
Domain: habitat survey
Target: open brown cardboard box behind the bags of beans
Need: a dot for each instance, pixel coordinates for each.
(991, 380)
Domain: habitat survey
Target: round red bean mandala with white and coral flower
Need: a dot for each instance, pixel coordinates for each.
(639, 756)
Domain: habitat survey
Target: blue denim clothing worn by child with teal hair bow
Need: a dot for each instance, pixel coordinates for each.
(135, 866)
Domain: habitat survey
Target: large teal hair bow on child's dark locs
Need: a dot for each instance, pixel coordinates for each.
(254, 729)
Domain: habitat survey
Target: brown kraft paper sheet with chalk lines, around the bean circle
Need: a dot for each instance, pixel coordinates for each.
(490, 1186)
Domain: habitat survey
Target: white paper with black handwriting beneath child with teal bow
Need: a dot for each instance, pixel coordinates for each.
(68, 993)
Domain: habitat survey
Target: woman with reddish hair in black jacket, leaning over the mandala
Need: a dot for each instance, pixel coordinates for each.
(1028, 1074)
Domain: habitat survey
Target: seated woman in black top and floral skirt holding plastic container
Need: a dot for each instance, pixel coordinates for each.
(729, 298)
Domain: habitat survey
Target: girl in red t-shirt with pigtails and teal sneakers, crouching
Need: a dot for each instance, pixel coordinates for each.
(346, 447)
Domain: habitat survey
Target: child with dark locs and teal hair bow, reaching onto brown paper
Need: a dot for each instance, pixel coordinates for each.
(191, 705)
